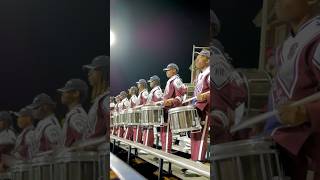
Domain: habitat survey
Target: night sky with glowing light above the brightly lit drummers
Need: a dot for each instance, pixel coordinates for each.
(151, 34)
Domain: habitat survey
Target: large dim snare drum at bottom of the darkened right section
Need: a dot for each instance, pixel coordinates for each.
(246, 160)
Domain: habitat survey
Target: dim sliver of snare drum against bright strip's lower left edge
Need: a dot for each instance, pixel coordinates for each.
(103, 156)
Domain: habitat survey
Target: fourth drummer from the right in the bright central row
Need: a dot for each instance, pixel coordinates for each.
(142, 99)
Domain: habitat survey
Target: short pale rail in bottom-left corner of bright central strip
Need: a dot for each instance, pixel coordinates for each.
(122, 170)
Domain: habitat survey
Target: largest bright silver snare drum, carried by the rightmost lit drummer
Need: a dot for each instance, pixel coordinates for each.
(183, 119)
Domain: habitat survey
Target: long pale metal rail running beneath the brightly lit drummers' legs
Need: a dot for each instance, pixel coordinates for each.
(185, 163)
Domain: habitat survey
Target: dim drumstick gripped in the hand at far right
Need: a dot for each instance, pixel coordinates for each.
(263, 117)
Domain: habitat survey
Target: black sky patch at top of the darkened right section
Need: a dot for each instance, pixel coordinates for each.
(239, 35)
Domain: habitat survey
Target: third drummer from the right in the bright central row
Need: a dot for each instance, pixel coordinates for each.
(154, 96)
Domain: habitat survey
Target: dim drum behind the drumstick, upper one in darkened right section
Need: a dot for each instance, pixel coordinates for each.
(258, 85)
